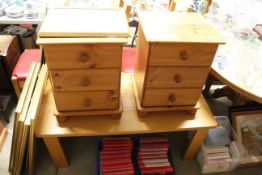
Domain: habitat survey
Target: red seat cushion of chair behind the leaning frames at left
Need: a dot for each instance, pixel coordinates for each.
(24, 62)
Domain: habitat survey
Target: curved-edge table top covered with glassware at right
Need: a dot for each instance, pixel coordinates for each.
(238, 63)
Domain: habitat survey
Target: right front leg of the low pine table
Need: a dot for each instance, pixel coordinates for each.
(195, 143)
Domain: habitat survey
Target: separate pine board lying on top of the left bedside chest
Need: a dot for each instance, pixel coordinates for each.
(84, 23)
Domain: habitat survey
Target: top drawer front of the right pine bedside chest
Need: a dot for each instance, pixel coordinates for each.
(182, 54)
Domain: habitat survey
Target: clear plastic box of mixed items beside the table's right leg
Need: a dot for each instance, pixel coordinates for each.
(221, 151)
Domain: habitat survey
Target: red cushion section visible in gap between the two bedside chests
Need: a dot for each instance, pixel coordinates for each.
(128, 59)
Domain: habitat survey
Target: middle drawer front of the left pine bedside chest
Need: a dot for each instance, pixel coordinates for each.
(85, 79)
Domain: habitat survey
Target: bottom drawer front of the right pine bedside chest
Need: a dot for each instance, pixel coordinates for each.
(170, 97)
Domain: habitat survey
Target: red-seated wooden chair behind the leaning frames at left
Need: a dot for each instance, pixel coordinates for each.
(22, 67)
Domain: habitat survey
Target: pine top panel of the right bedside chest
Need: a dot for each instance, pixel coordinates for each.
(178, 27)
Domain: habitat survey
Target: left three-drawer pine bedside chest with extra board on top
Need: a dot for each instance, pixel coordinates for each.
(83, 50)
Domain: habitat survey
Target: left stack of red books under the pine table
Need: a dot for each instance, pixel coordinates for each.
(116, 156)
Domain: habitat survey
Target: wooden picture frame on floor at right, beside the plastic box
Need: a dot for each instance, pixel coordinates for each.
(247, 123)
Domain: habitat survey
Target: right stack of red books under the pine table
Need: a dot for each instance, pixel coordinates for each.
(153, 156)
